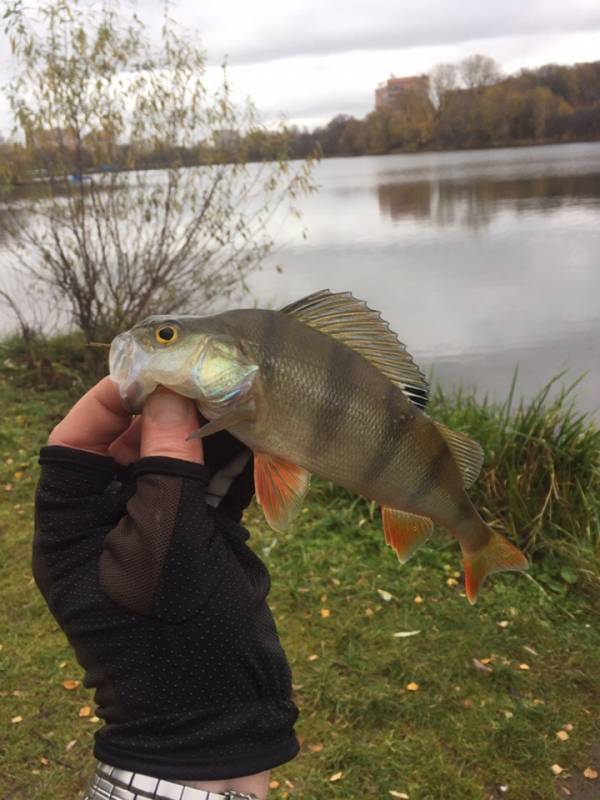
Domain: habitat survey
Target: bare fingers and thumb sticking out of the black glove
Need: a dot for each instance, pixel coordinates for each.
(99, 423)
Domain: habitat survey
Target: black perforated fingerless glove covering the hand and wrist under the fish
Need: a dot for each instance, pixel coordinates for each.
(165, 596)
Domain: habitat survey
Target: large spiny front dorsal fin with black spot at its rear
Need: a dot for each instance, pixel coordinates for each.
(352, 322)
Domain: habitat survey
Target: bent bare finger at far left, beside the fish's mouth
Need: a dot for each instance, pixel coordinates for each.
(95, 421)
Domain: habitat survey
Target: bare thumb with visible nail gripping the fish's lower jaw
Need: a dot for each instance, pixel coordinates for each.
(167, 421)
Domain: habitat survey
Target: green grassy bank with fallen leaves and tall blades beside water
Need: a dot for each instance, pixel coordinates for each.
(339, 596)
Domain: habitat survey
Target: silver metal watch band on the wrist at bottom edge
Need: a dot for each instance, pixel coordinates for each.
(112, 783)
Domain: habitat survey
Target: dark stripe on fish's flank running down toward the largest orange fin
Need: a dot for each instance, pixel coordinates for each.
(336, 401)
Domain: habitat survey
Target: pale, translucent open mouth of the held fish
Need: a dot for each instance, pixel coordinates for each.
(126, 363)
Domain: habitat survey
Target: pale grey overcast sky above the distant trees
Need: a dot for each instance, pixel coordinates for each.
(308, 60)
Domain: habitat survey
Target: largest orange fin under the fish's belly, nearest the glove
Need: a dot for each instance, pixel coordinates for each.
(280, 489)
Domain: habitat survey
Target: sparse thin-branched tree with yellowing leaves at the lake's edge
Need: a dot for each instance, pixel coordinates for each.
(93, 95)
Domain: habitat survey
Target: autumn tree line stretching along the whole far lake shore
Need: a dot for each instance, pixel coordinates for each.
(464, 106)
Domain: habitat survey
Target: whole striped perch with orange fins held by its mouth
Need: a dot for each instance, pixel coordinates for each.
(322, 387)
